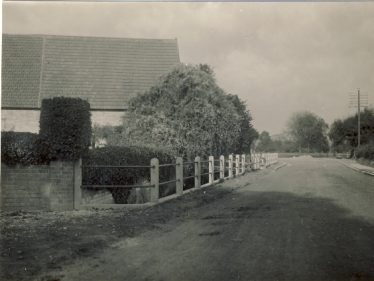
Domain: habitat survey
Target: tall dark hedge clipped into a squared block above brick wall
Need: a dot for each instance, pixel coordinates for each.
(65, 128)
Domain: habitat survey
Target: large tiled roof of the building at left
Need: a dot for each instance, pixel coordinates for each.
(105, 71)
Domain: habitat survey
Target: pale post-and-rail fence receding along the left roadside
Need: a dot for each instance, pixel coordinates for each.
(233, 165)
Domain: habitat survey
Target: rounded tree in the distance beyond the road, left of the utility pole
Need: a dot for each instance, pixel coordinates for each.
(309, 132)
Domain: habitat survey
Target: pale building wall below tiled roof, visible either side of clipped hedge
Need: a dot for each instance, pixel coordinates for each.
(28, 120)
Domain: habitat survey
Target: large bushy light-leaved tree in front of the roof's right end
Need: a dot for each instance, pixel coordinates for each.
(188, 113)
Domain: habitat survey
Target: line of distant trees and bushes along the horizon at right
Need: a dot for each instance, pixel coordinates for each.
(307, 132)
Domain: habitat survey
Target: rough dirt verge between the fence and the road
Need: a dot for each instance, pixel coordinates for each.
(32, 243)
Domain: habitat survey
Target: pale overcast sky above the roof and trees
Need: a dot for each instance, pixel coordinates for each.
(278, 57)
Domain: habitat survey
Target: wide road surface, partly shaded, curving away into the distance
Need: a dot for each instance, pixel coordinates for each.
(311, 220)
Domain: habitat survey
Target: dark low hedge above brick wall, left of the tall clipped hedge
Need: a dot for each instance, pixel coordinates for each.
(20, 148)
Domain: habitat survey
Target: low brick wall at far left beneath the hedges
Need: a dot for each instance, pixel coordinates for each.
(41, 187)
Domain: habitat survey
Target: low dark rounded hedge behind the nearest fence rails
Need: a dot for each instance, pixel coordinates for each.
(120, 156)
